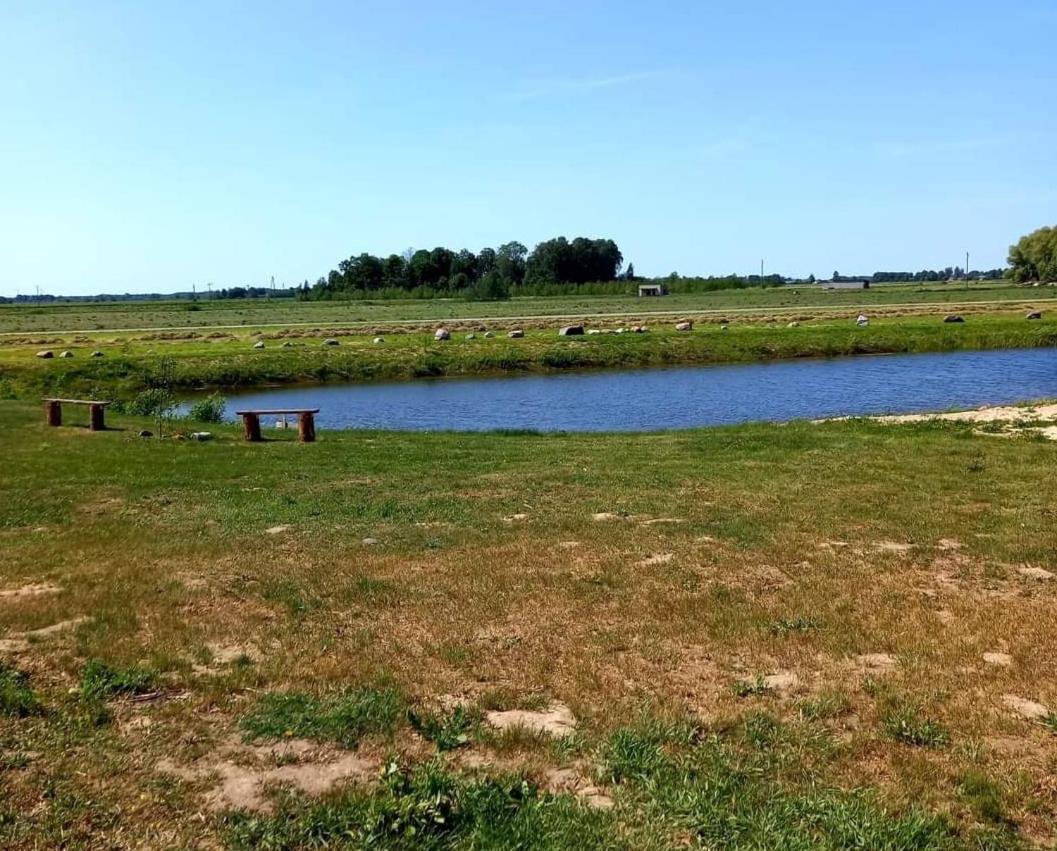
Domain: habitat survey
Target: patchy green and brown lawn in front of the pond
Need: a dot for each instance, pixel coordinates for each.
(763, 637)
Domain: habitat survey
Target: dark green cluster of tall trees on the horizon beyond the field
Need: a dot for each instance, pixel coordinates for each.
(491, 273)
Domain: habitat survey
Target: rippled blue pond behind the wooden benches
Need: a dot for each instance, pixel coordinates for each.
(679, 398)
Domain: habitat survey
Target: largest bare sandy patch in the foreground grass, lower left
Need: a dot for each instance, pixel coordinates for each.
(245, 772)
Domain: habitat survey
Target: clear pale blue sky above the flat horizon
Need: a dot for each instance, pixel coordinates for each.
(149, 146)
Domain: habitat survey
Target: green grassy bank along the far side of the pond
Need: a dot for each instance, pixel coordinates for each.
(296, 356)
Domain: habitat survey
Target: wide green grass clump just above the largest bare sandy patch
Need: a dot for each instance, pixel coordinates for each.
(345, 718)
